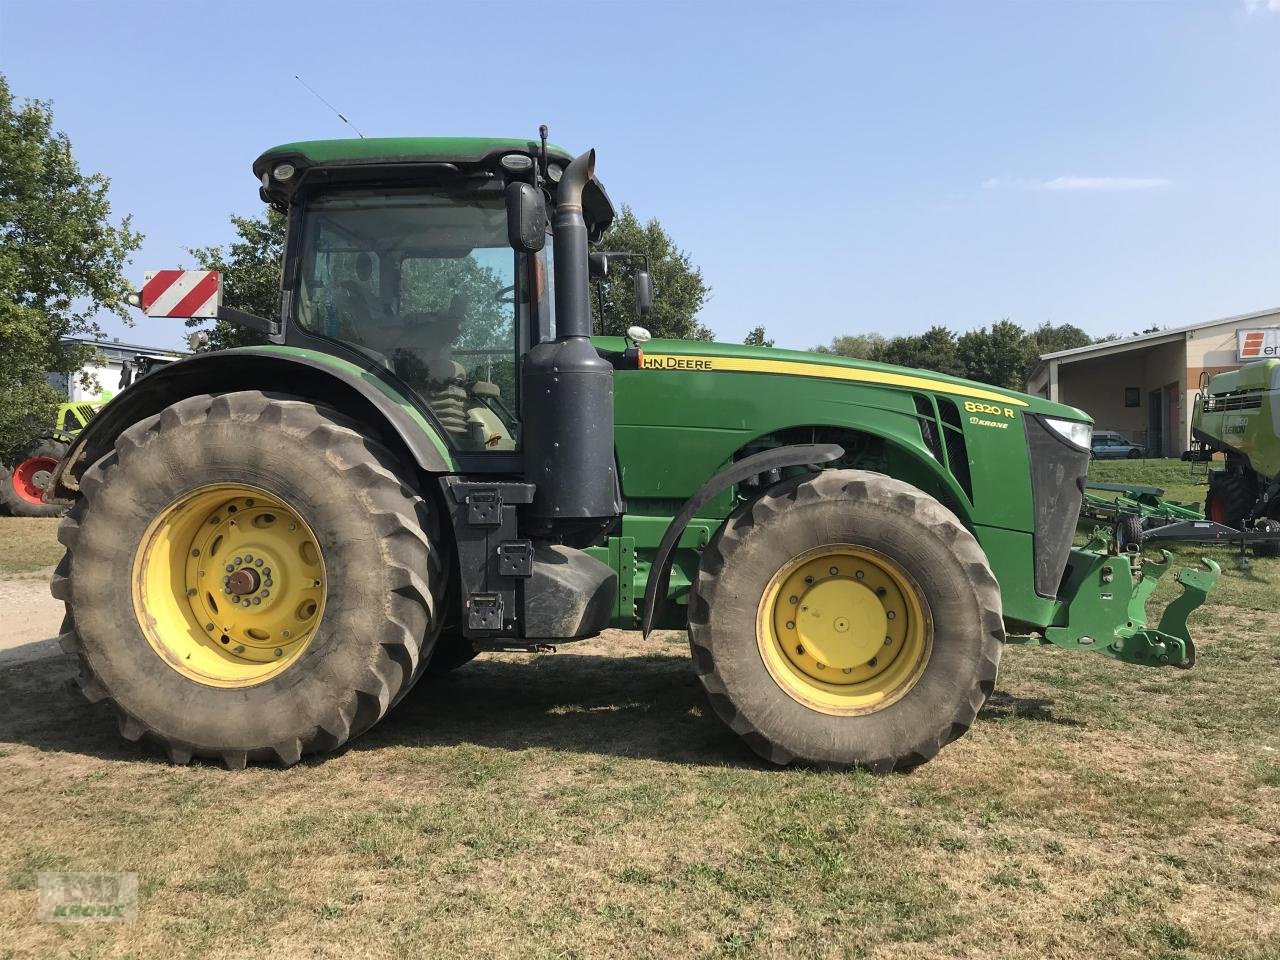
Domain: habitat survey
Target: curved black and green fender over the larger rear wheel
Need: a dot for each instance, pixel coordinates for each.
(364, 392)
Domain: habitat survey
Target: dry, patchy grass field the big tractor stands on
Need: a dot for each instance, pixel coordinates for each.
(586, 804)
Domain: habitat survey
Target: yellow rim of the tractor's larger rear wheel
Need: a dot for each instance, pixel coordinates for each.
(230, 586)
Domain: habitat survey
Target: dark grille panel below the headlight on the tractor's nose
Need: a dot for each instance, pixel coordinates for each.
(1059, 470)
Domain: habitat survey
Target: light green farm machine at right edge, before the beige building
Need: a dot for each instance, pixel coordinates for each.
(1238, 414)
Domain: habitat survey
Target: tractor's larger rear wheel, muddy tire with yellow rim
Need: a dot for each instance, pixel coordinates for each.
(380, 580)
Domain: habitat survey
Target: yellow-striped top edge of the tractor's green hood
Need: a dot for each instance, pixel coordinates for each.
(693, 355)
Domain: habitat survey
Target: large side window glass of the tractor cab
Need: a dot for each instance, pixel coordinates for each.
(424, 285)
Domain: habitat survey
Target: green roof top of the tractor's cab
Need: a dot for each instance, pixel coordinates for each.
(401, 150)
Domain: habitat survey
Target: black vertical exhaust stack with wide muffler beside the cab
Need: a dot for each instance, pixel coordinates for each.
(568, 394)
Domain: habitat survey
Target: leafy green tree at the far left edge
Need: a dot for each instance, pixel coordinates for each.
(62, 263)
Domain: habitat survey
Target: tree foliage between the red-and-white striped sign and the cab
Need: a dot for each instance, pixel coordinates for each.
(252, 276)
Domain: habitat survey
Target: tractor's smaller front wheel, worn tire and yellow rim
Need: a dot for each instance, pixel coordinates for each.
(889, 536)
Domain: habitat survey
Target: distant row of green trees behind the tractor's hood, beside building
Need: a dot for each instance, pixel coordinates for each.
(1002, 355)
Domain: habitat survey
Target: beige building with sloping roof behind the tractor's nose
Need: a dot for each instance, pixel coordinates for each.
(1145, 387)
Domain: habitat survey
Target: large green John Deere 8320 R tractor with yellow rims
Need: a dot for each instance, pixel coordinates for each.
(435, 458)
